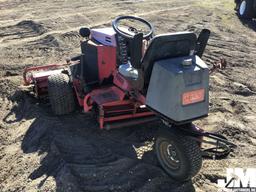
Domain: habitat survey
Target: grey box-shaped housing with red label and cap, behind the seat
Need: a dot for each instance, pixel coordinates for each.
(179, 88)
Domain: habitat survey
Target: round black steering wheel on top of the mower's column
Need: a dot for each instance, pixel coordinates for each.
(132, 30)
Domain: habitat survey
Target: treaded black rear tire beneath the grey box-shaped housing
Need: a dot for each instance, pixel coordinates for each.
(188, 152)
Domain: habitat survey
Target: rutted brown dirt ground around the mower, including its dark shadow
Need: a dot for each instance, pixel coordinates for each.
(42, 152)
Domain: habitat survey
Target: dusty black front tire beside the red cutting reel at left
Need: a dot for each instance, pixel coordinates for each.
(61, 94)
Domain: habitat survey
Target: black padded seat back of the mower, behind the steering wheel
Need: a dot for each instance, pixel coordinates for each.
(167, 46)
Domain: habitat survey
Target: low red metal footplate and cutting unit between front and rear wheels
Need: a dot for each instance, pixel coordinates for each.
(116, 107)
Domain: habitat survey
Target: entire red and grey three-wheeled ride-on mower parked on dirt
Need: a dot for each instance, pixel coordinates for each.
(128, 76)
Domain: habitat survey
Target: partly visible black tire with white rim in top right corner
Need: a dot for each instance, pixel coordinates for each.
(249, 11)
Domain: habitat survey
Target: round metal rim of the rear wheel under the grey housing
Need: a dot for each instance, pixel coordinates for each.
(169, 155)
